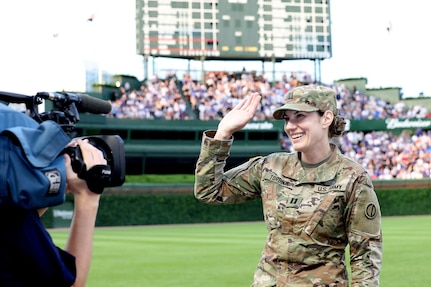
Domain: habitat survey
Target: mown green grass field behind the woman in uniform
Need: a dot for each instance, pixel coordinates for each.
(225, 255)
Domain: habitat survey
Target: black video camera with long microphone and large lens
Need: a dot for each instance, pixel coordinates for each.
(65, 112)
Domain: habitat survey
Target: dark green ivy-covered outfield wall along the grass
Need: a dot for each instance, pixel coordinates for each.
(175, 204)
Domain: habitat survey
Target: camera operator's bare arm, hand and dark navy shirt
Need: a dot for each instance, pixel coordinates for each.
(28, 255)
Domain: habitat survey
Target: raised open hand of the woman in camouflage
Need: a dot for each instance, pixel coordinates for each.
(238, 117)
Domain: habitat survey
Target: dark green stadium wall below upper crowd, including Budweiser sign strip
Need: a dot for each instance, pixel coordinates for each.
(164, 146)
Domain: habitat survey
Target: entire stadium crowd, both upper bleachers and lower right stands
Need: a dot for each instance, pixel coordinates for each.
(383, 154)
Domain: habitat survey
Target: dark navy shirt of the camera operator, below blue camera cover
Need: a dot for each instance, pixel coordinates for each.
(28, 256)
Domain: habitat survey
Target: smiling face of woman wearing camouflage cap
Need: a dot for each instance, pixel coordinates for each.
(308, 132)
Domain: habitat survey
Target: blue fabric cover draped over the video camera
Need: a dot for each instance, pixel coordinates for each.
(32, 169)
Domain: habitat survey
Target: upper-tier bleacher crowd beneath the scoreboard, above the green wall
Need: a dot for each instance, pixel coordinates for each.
(162, 98)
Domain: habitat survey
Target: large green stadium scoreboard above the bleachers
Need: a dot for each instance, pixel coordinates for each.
(234, 29)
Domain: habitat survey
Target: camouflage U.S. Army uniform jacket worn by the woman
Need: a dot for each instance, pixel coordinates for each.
(312, 213)
